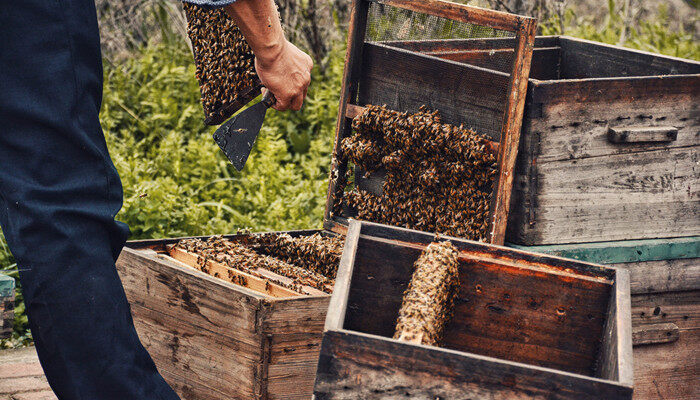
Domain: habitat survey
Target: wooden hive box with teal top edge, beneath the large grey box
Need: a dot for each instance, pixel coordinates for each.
(665, 286)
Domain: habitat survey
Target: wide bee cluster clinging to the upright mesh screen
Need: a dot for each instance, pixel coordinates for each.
(439, 177)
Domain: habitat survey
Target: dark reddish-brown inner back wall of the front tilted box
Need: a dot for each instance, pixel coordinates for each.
(559, 318)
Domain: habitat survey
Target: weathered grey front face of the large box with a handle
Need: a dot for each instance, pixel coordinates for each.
(567, 123)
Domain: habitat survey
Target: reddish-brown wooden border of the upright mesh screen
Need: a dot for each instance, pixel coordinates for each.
(522, 27)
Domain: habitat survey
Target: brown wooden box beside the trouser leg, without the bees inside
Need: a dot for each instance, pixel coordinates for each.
(212, 339)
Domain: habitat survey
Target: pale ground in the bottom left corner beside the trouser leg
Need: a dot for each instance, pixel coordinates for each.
(21, 376)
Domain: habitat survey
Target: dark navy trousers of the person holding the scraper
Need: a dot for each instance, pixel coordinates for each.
(59, 193)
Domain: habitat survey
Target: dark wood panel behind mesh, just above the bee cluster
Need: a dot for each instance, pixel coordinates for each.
(405, 81)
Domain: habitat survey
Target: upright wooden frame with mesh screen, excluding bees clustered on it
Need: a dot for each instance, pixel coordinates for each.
(491, 102)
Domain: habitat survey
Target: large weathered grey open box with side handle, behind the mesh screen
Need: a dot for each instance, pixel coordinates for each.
(609, 147)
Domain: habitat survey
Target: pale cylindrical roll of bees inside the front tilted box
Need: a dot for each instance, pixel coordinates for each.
(428, 303)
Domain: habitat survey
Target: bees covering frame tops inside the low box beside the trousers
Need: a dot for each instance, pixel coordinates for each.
(293, 258)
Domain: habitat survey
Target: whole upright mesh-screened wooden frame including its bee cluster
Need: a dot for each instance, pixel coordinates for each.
(400, 164)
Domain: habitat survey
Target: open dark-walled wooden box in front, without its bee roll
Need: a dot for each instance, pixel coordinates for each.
(525, 325)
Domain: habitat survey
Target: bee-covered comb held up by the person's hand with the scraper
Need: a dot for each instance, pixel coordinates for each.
(224, 61)
